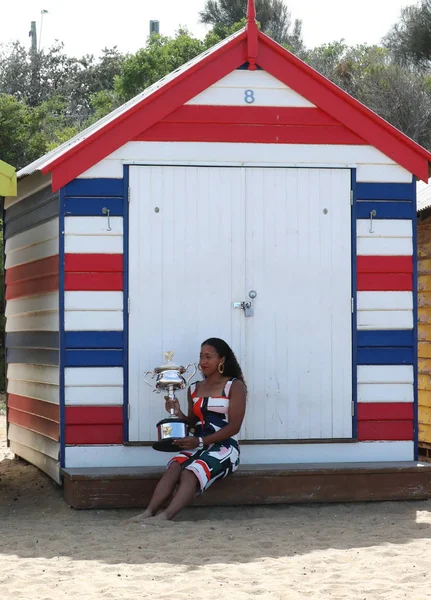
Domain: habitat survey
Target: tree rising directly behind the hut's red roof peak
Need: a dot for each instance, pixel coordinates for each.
(273, 16)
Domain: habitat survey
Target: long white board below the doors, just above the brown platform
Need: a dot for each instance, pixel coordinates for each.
(139, 456)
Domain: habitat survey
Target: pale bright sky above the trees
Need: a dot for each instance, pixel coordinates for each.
(87, 26)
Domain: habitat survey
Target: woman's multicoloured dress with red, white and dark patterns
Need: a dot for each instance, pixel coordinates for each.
(218, 460)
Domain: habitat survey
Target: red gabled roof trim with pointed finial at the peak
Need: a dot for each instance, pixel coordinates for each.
(248, 46)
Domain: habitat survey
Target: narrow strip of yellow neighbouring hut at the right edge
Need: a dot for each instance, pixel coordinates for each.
(424, 302)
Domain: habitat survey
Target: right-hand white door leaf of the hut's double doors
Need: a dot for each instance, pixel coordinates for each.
(299, 342)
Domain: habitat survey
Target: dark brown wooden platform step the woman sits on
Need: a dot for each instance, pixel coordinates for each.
(257, 484)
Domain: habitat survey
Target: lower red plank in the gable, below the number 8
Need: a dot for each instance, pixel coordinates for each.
(264, 134)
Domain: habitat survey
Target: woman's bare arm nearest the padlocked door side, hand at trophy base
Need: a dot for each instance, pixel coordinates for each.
(237, 402)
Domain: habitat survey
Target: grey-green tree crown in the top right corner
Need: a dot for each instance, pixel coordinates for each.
(410, 38)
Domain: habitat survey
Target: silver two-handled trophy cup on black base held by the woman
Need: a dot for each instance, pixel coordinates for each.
(169, 378)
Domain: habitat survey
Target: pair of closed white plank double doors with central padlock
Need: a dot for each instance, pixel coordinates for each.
(202, 238)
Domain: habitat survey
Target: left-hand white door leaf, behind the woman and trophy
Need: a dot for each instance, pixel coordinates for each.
(187, 257)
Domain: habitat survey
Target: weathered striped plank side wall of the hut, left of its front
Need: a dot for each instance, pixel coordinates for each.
(32, 328)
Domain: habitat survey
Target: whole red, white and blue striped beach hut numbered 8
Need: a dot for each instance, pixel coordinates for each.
(243, 196)
